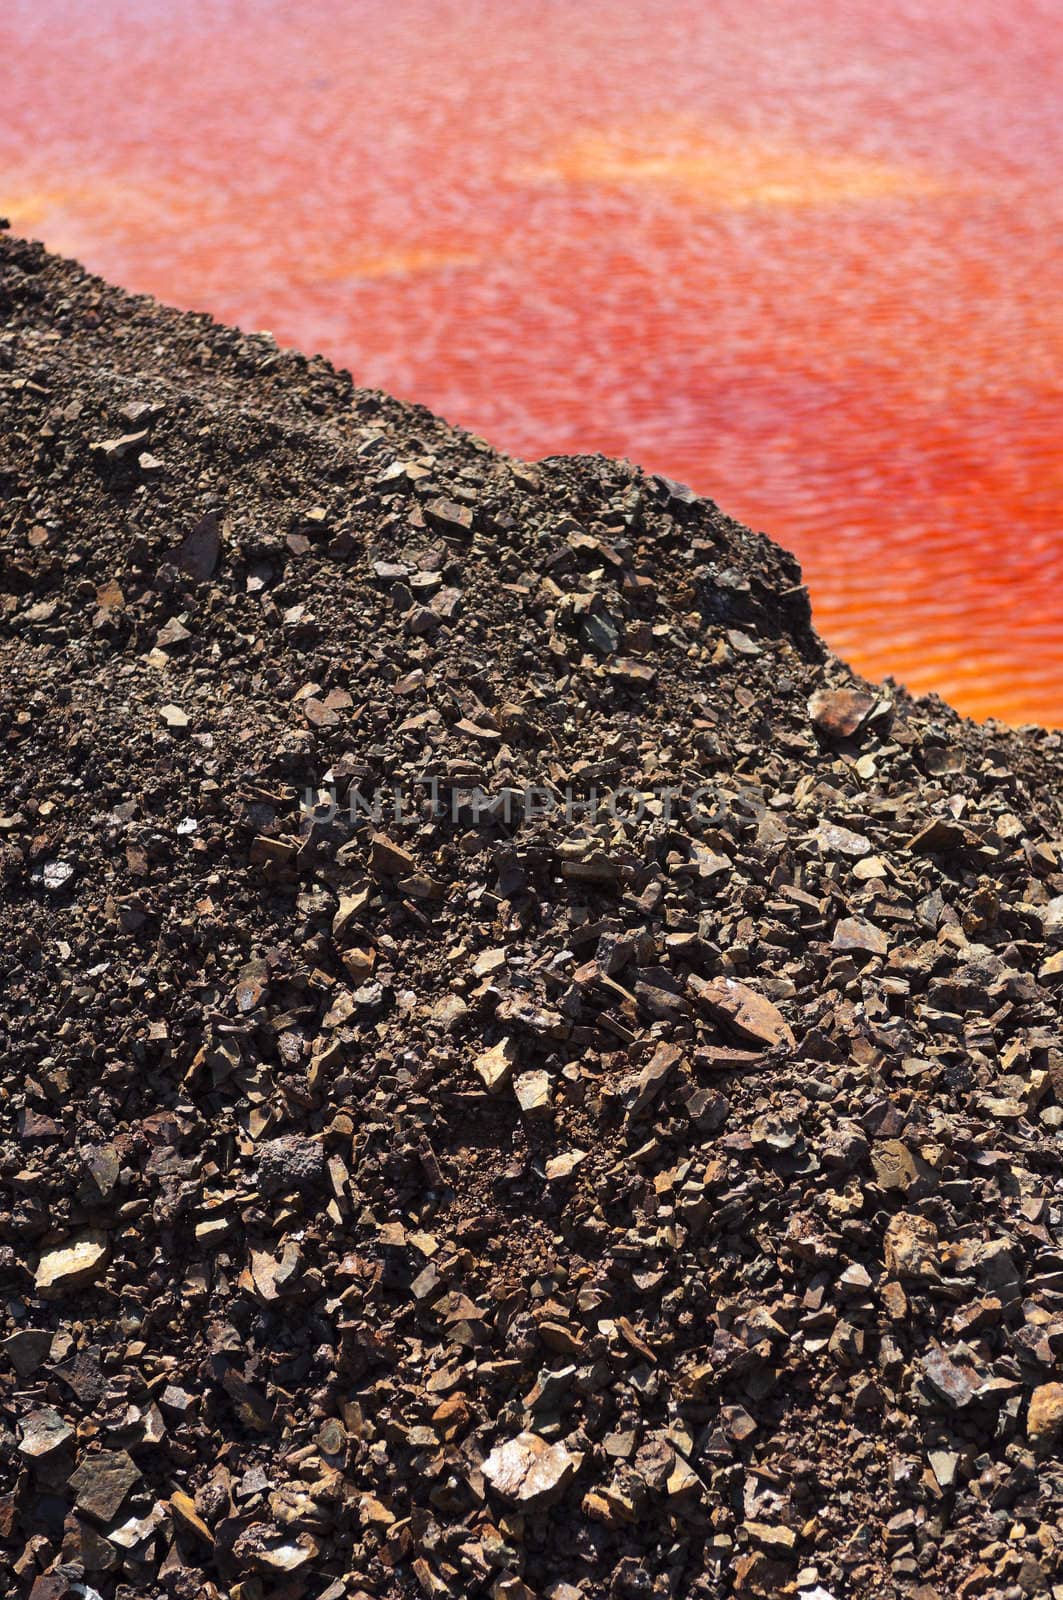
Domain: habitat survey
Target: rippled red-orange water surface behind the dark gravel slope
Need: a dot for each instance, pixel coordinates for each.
(808, 258)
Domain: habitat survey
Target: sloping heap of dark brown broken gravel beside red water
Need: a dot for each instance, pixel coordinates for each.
(475, 1201)
